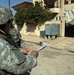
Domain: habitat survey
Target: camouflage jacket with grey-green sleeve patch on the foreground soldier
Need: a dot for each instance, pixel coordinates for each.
(11, 59)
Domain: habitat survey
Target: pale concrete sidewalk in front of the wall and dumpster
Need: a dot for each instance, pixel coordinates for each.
(58, 43)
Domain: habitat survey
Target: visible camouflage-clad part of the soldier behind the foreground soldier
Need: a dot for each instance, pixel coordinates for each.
(16, 36)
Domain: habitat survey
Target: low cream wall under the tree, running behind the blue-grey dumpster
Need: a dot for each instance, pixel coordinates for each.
(35, 30)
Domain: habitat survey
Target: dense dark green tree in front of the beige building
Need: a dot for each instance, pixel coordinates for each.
(33, 15)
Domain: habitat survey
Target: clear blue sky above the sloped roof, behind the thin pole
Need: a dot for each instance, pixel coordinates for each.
(12, 3)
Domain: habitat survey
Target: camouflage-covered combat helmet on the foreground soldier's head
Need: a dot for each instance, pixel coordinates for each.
(5, 15)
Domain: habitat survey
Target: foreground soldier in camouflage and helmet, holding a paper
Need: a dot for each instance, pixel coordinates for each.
(13, 60)
